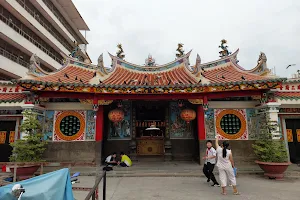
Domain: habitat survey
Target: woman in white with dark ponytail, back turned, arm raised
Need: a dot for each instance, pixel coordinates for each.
(225, 166)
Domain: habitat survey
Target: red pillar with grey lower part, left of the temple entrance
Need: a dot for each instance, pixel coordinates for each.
(99, 134)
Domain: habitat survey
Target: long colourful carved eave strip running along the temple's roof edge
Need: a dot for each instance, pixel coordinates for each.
(164, 89)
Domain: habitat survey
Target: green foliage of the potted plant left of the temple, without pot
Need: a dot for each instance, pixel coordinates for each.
(31, 148)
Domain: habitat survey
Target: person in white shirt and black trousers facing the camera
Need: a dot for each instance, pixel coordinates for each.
(209, 165)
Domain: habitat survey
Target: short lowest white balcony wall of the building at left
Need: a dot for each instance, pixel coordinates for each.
(12, 67)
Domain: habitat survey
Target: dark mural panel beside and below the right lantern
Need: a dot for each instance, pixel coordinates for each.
(179, 129)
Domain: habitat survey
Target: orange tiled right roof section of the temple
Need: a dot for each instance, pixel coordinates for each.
(230, 74)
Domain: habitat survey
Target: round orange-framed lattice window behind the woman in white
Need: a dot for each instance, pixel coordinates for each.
(231, 124)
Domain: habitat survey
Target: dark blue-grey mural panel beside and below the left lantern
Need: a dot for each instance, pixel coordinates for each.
(121, 130)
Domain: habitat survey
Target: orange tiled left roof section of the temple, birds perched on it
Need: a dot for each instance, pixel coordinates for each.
(69, 74)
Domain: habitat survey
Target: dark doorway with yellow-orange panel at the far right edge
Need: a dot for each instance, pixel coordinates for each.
(293, 137)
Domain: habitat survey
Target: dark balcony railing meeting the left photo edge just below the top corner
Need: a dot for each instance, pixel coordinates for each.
(28, 37)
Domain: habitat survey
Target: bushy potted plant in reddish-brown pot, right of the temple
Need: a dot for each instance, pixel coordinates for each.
(271, 153)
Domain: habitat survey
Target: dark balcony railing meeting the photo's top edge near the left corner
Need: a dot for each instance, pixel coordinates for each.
(38, 16)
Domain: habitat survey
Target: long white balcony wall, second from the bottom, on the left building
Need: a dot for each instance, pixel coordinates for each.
(19, 39)
